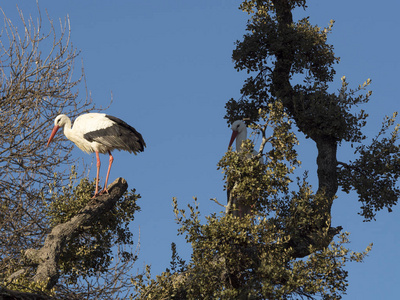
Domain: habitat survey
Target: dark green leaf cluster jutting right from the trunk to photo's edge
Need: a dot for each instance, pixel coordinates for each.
(375, 173)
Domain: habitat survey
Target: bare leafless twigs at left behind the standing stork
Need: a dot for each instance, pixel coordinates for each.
(36, 83)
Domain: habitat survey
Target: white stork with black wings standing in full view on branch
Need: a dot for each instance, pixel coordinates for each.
(100, 133)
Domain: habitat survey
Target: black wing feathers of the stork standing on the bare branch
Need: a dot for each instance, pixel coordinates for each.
(119, 136)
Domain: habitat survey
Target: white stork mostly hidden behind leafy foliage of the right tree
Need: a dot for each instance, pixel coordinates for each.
(239, 133)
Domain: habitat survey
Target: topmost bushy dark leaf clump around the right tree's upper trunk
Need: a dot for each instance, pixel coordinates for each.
(305, 45)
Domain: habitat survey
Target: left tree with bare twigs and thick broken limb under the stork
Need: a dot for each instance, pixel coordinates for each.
(55, 239)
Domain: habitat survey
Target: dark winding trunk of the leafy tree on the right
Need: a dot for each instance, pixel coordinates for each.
(326, 145)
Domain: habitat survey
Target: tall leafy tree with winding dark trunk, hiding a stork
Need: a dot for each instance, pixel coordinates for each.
(287, 248)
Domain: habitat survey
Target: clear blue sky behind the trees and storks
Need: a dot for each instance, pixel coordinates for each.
(168, 66)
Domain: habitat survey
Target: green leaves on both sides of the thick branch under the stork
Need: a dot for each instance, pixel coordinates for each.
(92, 251)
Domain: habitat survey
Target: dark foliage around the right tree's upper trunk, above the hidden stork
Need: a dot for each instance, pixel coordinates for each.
(282, 52)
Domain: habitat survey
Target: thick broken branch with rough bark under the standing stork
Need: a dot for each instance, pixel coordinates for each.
(48, 256)
